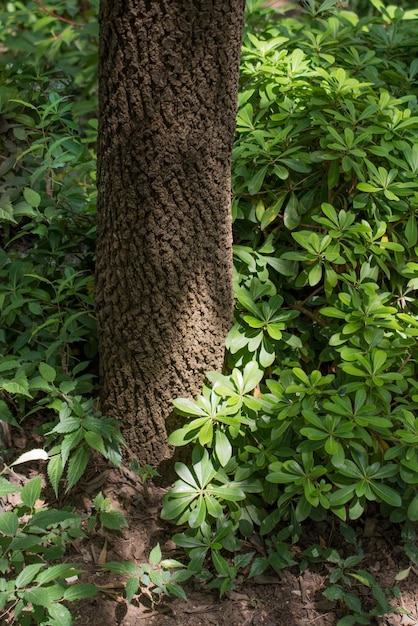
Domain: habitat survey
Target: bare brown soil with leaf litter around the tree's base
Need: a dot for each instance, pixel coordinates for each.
(269, 600)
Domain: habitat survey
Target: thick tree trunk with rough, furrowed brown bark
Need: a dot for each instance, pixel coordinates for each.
(168, 74)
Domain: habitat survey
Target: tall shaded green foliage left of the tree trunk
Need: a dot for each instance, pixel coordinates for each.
(47, 197)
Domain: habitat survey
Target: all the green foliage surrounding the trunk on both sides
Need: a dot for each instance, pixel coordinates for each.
(315, 415)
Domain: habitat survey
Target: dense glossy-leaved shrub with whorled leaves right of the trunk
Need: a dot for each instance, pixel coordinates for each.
(325, 208)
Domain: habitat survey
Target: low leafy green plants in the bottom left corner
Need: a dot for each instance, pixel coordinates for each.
(32, 538)
